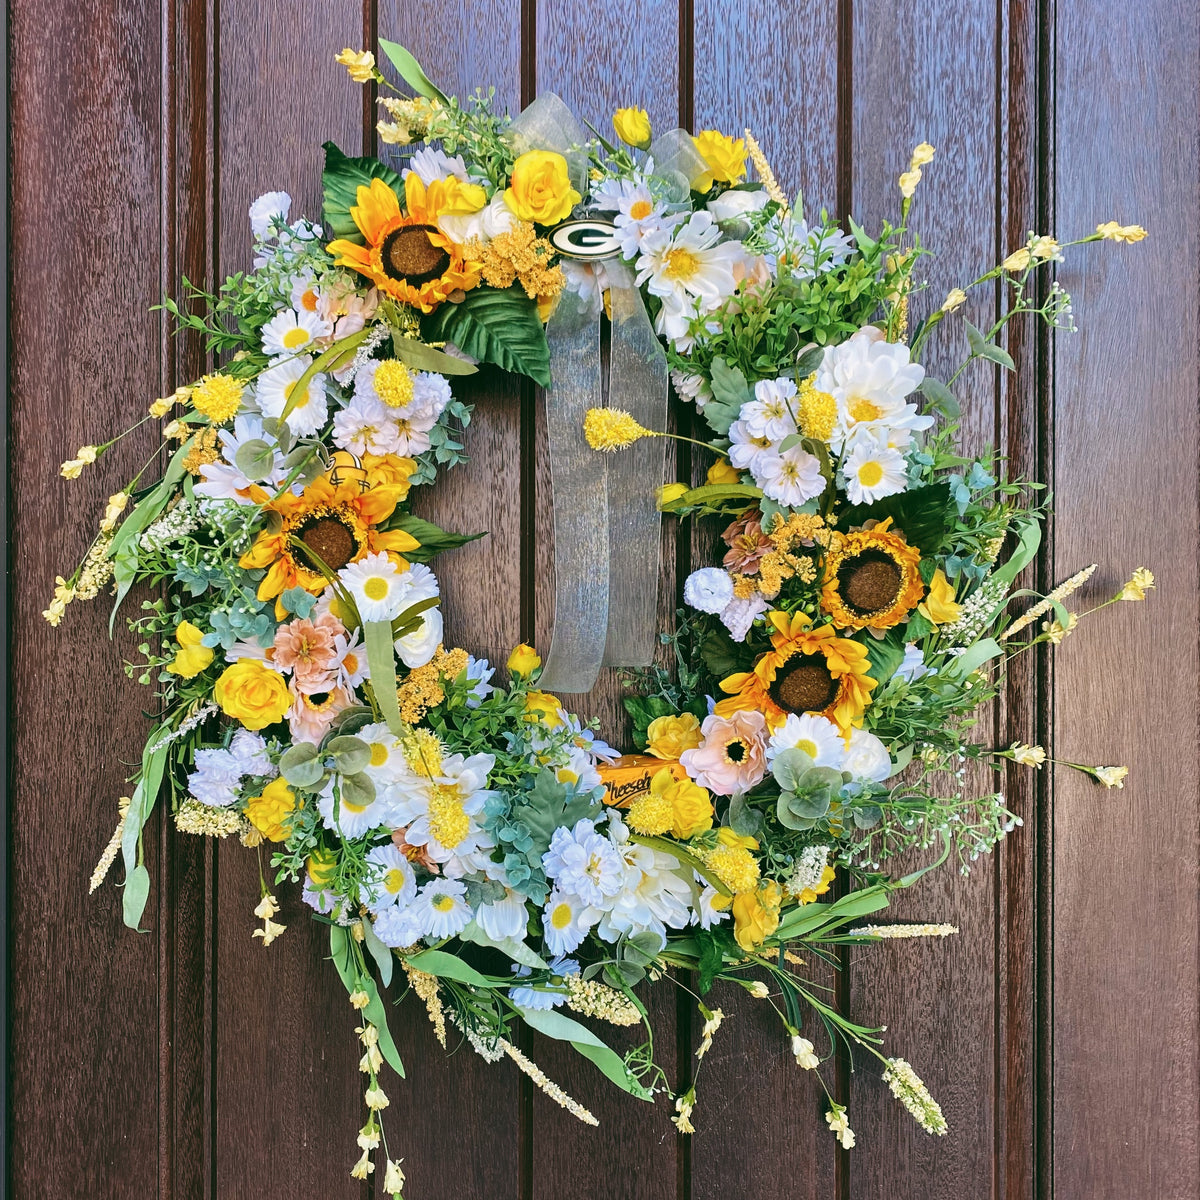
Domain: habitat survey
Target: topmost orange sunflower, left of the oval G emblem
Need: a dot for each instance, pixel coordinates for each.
(407, 256)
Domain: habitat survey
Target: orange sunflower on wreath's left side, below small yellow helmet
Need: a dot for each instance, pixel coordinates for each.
(337, 524)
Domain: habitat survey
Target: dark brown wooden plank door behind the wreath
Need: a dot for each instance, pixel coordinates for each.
(1059, 1029)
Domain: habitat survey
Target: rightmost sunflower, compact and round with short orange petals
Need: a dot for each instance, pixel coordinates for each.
(871, 579)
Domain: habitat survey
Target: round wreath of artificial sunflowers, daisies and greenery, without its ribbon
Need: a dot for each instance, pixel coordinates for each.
(466, 829)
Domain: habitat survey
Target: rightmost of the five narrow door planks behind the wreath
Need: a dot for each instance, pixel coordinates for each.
(937, 998)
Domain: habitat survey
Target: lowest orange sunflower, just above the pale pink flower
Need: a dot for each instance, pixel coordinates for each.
(807, 671)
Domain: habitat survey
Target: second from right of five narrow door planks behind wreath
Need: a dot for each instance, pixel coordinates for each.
(760, 1118)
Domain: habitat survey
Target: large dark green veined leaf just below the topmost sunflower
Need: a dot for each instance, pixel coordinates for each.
(494, 326)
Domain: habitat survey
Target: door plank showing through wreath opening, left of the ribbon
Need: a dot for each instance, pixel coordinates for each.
(482, 603)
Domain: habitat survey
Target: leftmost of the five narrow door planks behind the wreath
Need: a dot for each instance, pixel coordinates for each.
(289, 1094)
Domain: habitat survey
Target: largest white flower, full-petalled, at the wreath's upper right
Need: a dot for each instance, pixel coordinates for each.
(869, 379)
